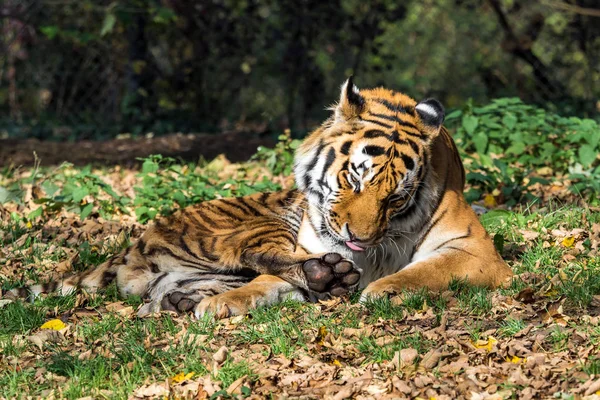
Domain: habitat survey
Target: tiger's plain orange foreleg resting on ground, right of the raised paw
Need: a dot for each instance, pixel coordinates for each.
(436, 272)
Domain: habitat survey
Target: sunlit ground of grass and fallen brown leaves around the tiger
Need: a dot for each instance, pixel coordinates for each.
(537, 337)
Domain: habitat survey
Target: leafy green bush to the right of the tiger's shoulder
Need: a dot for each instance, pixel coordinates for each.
(509, 145)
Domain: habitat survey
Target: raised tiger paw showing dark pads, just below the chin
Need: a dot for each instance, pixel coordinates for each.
(331, 274)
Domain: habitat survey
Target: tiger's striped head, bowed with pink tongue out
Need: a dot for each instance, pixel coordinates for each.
(362, 168)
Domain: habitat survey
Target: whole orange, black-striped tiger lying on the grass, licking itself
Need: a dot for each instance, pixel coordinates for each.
(379, 207)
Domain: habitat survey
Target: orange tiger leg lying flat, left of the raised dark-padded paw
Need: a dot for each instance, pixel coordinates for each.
(265, 290)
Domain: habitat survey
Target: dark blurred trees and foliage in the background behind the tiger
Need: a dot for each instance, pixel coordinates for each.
(74, 69)
